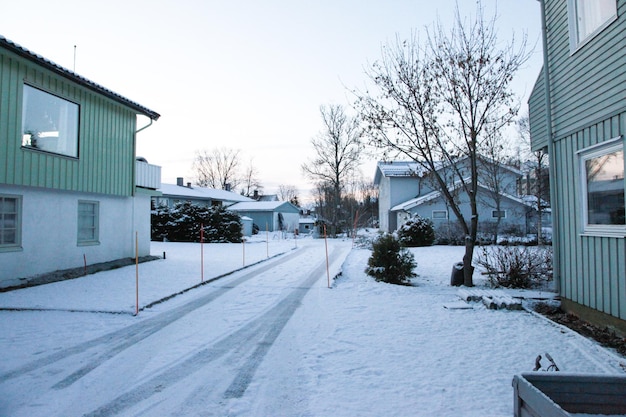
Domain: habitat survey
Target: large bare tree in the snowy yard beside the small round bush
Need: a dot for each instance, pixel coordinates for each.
(436, 103)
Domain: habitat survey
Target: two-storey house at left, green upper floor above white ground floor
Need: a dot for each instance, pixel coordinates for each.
(71, 190)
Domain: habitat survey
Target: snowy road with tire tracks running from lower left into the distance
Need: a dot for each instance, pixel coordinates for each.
(174, 361)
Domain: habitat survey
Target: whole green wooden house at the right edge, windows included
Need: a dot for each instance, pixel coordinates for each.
(578, 112)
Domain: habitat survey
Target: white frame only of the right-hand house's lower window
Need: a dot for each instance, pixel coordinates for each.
(596, 151)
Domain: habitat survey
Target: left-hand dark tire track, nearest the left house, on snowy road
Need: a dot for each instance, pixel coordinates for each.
(119, 340)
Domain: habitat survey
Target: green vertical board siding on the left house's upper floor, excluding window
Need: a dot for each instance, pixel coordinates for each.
(105, 162)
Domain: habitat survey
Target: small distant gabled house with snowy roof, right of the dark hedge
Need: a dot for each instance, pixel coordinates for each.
(270, 215)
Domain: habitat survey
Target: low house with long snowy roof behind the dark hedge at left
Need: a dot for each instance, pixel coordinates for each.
(181, 192)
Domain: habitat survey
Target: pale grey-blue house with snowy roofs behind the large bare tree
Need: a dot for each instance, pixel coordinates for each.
(406, 189)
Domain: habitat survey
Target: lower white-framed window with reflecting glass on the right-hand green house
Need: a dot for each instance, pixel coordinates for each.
(602, 170)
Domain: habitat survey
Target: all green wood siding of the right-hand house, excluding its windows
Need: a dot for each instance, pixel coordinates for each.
(588, 107)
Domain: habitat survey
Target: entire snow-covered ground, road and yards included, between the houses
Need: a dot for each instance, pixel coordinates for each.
(359, 348)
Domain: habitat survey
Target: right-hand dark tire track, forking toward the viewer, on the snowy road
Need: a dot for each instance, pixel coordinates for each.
(261, 331)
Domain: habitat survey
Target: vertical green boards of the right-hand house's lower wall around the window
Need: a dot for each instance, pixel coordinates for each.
(593, 268)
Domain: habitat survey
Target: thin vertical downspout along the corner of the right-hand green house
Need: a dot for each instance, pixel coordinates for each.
(551, 157)
